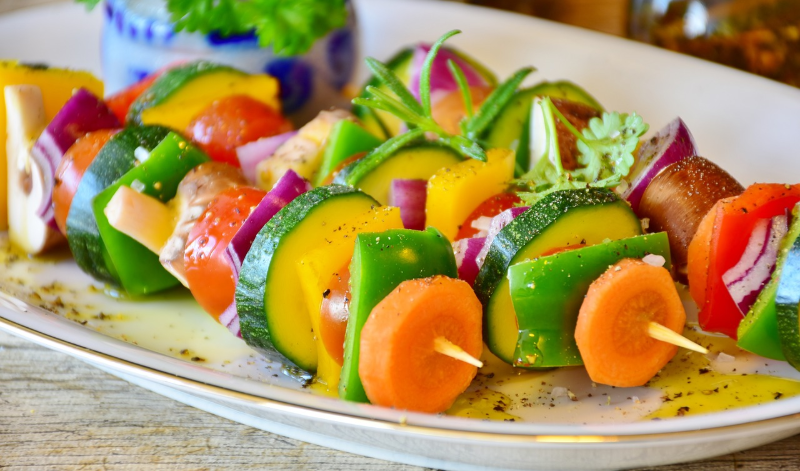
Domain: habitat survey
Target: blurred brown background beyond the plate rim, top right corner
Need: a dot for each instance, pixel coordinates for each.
(759, 36)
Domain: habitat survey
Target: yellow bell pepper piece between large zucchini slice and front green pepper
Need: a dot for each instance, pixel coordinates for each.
(317, 268)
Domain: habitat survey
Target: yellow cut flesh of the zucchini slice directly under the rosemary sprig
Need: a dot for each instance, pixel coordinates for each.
(412, 163)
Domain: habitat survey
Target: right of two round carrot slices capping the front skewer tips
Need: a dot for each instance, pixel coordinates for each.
(612, 329)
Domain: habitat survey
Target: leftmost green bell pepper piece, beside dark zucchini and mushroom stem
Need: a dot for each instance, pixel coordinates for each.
(138, 268)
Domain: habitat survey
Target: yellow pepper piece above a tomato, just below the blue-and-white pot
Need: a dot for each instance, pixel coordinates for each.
(178, 110)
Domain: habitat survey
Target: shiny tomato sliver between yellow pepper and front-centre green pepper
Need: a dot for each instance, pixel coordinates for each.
(334, 312)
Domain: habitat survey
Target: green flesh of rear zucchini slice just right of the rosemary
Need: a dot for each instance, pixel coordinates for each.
(511, 129)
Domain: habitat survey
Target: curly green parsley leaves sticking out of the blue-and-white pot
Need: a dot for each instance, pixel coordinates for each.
(290, 26)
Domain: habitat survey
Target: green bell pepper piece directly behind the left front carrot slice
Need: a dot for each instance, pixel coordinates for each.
(381, 261)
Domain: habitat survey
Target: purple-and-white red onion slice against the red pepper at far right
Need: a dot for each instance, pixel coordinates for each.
(747, 278)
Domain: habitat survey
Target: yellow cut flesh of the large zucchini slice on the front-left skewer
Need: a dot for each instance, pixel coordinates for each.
(287, 310)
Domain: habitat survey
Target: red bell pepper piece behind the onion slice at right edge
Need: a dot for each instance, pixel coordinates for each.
(734, 225)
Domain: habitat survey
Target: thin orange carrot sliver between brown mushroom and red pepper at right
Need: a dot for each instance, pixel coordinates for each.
(700, 252)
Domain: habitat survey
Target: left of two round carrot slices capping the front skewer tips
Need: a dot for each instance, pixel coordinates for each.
(399, 366)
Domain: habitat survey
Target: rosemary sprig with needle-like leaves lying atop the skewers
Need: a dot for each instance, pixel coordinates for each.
(418, 114)
